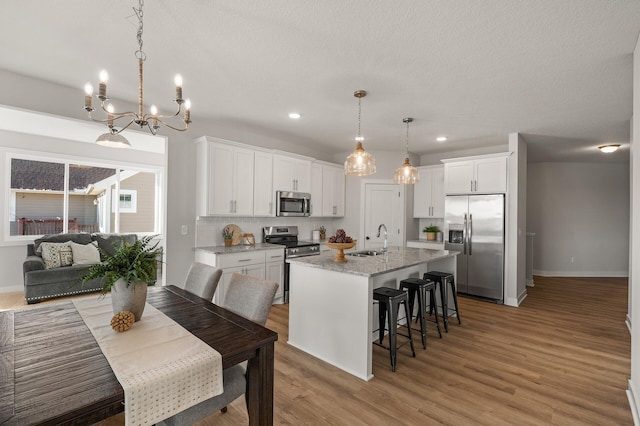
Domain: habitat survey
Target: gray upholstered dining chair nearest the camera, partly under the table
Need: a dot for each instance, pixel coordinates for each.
(251, 298)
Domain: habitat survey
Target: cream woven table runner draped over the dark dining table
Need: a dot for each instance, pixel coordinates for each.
(162, 368)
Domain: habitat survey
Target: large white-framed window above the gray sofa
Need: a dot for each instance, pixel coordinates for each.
(49, 197)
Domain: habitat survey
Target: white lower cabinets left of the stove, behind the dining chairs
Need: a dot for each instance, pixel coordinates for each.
(257, 263)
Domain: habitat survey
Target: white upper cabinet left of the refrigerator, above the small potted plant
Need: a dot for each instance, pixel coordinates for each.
(428, 193)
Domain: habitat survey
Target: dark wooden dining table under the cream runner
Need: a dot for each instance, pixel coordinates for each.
(53, 372)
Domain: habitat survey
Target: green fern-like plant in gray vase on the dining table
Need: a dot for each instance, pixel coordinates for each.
(127, 273)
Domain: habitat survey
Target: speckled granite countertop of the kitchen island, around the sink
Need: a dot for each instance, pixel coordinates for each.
(398, 258)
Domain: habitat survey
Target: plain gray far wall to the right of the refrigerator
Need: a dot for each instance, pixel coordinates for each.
(579, 211)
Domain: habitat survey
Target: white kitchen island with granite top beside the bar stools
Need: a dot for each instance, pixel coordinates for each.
(331, 311)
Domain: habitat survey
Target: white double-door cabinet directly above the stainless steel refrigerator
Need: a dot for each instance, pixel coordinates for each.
(485, 175)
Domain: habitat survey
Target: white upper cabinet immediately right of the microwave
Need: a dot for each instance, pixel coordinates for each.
(327, 190)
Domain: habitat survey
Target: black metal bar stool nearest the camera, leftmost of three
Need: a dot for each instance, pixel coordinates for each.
(390, 299)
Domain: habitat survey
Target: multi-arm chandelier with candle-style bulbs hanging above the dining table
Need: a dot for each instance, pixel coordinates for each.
(151, 120)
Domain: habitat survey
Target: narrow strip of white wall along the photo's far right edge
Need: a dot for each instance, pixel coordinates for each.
(633, 390)
